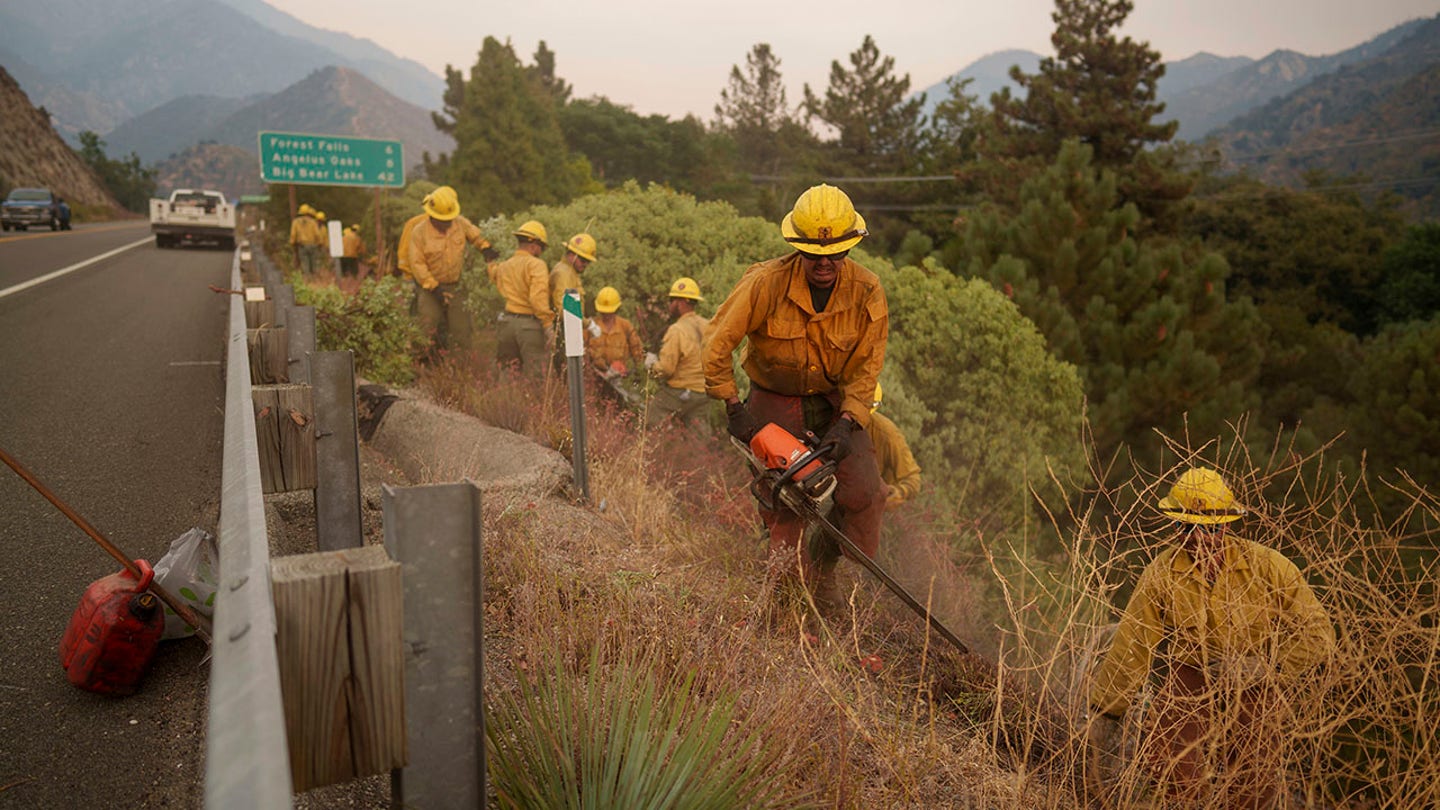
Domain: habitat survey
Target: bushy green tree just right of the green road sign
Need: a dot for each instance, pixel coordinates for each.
(509, 149)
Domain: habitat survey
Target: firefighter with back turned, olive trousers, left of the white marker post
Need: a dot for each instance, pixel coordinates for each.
(528, 322)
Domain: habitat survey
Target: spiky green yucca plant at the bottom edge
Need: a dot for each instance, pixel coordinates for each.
(618, 736)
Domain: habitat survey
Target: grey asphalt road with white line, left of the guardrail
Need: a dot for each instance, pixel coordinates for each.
(113, 394)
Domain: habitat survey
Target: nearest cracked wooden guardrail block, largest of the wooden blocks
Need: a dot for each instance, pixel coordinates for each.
(339, 641)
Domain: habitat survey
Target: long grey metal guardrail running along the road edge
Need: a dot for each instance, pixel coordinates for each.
(247, 753)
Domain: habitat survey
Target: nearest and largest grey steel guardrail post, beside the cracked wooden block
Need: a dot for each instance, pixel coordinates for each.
(436, 534)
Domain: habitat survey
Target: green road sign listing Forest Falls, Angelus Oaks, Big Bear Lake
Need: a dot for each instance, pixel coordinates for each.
(330, 161)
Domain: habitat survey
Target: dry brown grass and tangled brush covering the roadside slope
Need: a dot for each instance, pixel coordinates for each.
(670, 574)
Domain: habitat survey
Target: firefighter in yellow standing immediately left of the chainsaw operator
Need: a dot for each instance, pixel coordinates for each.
(682, 391)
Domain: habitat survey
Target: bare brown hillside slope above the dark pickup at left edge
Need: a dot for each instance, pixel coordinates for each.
(32, 155)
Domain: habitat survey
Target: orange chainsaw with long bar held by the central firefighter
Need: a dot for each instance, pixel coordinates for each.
(800, 476)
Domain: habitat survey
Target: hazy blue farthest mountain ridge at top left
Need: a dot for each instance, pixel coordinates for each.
(96, 64)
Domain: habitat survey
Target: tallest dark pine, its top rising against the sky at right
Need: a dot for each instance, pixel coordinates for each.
(1101, 90)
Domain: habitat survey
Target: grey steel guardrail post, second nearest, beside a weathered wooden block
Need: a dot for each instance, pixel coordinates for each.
(338, 452)
